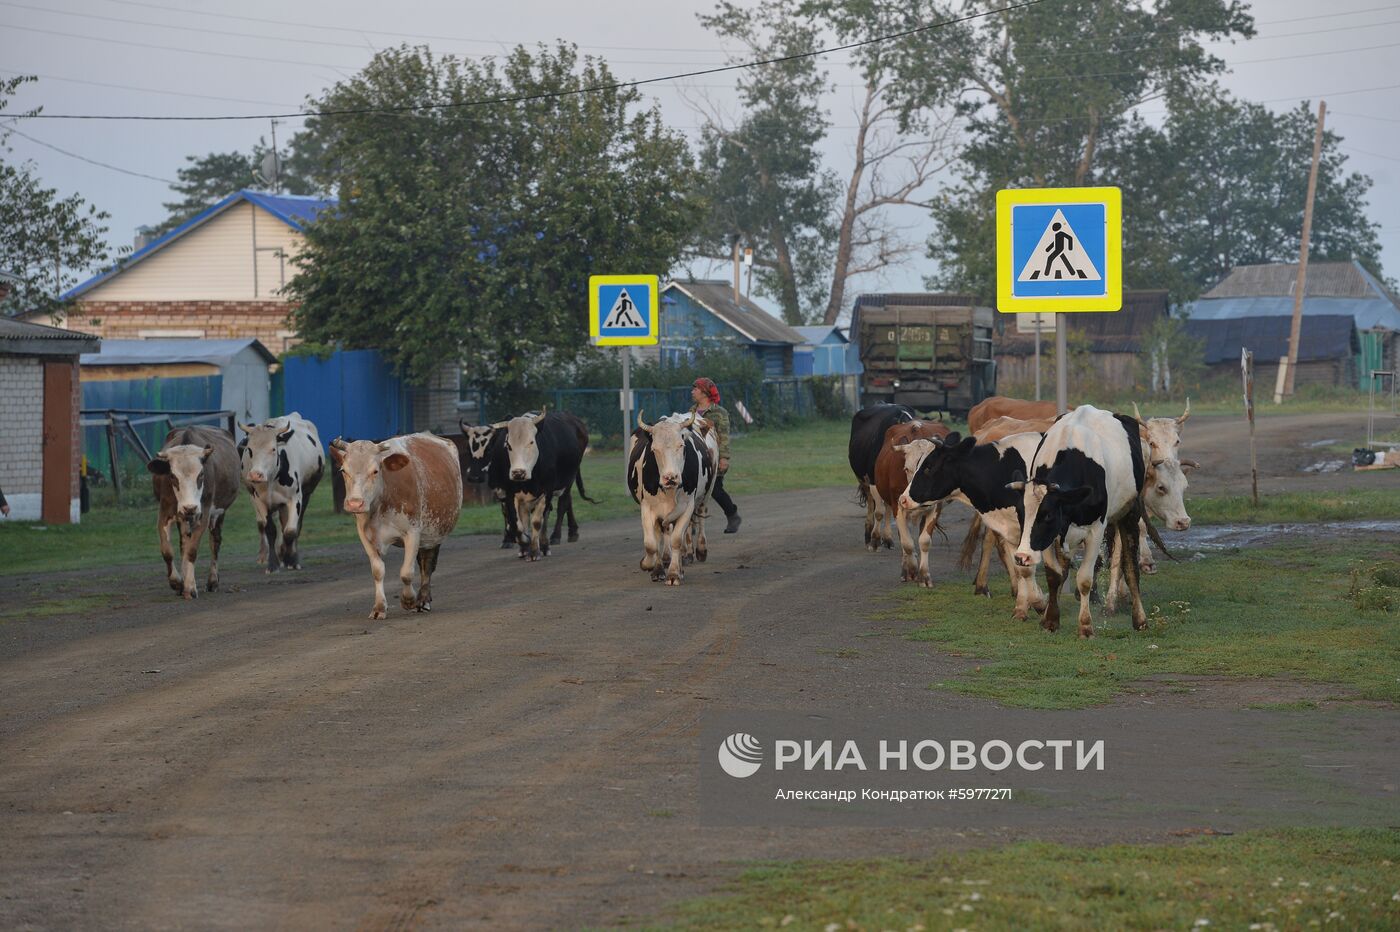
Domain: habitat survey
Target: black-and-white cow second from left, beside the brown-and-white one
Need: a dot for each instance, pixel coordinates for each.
(281, 465)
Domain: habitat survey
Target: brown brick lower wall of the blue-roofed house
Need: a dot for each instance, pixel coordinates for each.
(265, 321)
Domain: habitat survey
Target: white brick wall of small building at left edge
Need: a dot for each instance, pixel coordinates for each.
(22, 433)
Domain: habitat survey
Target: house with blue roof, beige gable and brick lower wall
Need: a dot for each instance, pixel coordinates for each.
(220, 275)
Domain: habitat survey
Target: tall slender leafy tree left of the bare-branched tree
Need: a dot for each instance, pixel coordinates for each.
(762, 176)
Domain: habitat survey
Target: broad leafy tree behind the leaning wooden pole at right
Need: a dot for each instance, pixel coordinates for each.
(1223, 184)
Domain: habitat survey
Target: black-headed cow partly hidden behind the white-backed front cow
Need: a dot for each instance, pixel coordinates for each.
(978, 475)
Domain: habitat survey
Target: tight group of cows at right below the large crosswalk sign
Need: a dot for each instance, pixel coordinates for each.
(1044, 488)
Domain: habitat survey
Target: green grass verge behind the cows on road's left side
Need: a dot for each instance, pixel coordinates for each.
(806, 457)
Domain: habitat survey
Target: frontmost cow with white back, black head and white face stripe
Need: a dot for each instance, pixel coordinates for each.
(1087, 476)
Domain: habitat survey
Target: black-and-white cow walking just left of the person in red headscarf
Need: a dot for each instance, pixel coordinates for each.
(671, 472)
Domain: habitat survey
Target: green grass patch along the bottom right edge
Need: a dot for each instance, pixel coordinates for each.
(1284, 880)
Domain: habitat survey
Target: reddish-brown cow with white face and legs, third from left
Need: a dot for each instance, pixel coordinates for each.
(405, 492)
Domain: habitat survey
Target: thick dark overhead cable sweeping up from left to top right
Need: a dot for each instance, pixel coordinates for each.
(521, 99)
